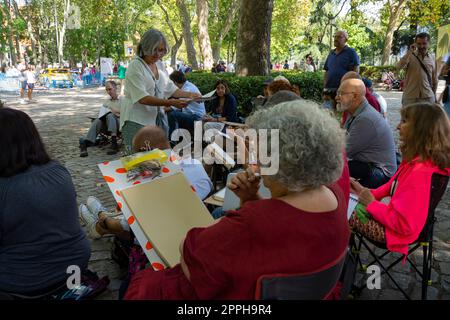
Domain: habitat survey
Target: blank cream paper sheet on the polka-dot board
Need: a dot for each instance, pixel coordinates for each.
(166, 210)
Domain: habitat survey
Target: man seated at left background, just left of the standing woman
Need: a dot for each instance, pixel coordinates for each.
(108, 121)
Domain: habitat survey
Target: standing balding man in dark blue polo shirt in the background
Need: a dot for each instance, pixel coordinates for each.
(340, 60)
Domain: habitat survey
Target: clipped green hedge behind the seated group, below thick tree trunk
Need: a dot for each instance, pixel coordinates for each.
(246, 88)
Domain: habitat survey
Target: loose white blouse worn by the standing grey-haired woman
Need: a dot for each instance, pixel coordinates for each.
(139, 83)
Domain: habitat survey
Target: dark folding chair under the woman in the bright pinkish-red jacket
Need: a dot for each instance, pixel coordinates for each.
(425, 240)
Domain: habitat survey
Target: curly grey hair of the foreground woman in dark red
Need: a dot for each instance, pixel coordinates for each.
(311, 143)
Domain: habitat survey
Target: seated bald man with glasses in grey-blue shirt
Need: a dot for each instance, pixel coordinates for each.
(369, 142)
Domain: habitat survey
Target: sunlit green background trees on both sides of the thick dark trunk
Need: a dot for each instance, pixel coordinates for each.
(43, 31)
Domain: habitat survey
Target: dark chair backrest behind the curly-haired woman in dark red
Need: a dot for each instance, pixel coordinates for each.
(313, 286)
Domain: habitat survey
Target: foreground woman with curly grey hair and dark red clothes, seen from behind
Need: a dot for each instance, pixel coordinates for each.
(303, 228)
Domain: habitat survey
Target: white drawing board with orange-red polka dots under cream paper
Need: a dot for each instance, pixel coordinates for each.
(116, 177)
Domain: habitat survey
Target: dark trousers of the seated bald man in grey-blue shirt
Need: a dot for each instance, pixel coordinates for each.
(369, 176)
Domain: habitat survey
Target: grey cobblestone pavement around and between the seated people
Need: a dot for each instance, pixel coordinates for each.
(62, 118)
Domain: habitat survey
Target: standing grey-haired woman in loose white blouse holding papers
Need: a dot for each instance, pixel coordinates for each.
(148, 87)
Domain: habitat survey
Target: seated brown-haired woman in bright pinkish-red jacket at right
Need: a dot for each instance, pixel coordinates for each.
(424, 133)
